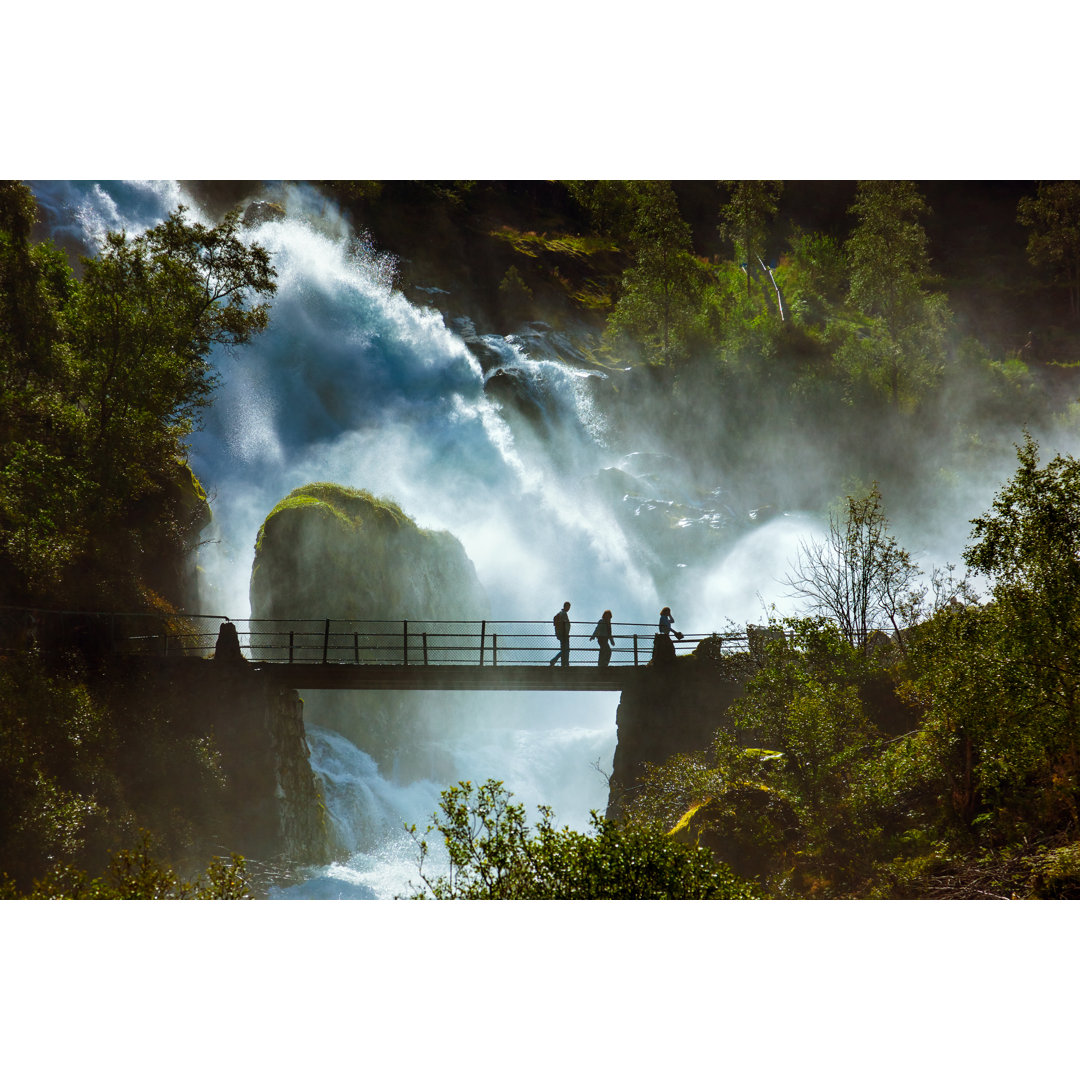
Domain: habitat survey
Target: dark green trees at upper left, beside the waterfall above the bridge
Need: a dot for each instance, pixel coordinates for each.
(102, 380)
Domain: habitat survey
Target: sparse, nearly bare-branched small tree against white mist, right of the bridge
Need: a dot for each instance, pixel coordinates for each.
(858, 574)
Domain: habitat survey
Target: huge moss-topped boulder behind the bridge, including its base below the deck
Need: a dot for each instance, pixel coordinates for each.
(331, 552)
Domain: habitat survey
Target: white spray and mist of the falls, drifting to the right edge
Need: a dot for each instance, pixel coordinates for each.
(558, 487)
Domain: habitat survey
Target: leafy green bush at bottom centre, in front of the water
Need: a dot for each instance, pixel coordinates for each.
(495, 855)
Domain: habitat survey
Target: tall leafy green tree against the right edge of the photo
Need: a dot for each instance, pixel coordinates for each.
(1002, 682)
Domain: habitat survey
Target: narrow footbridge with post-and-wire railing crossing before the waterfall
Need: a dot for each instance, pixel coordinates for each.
(353, 654)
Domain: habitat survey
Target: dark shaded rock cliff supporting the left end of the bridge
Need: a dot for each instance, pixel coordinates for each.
(238, 776)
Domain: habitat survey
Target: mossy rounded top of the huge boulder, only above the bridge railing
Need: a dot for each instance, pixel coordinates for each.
(332, 552)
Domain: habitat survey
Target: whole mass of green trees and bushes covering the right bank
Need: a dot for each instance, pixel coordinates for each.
(829, 806)
